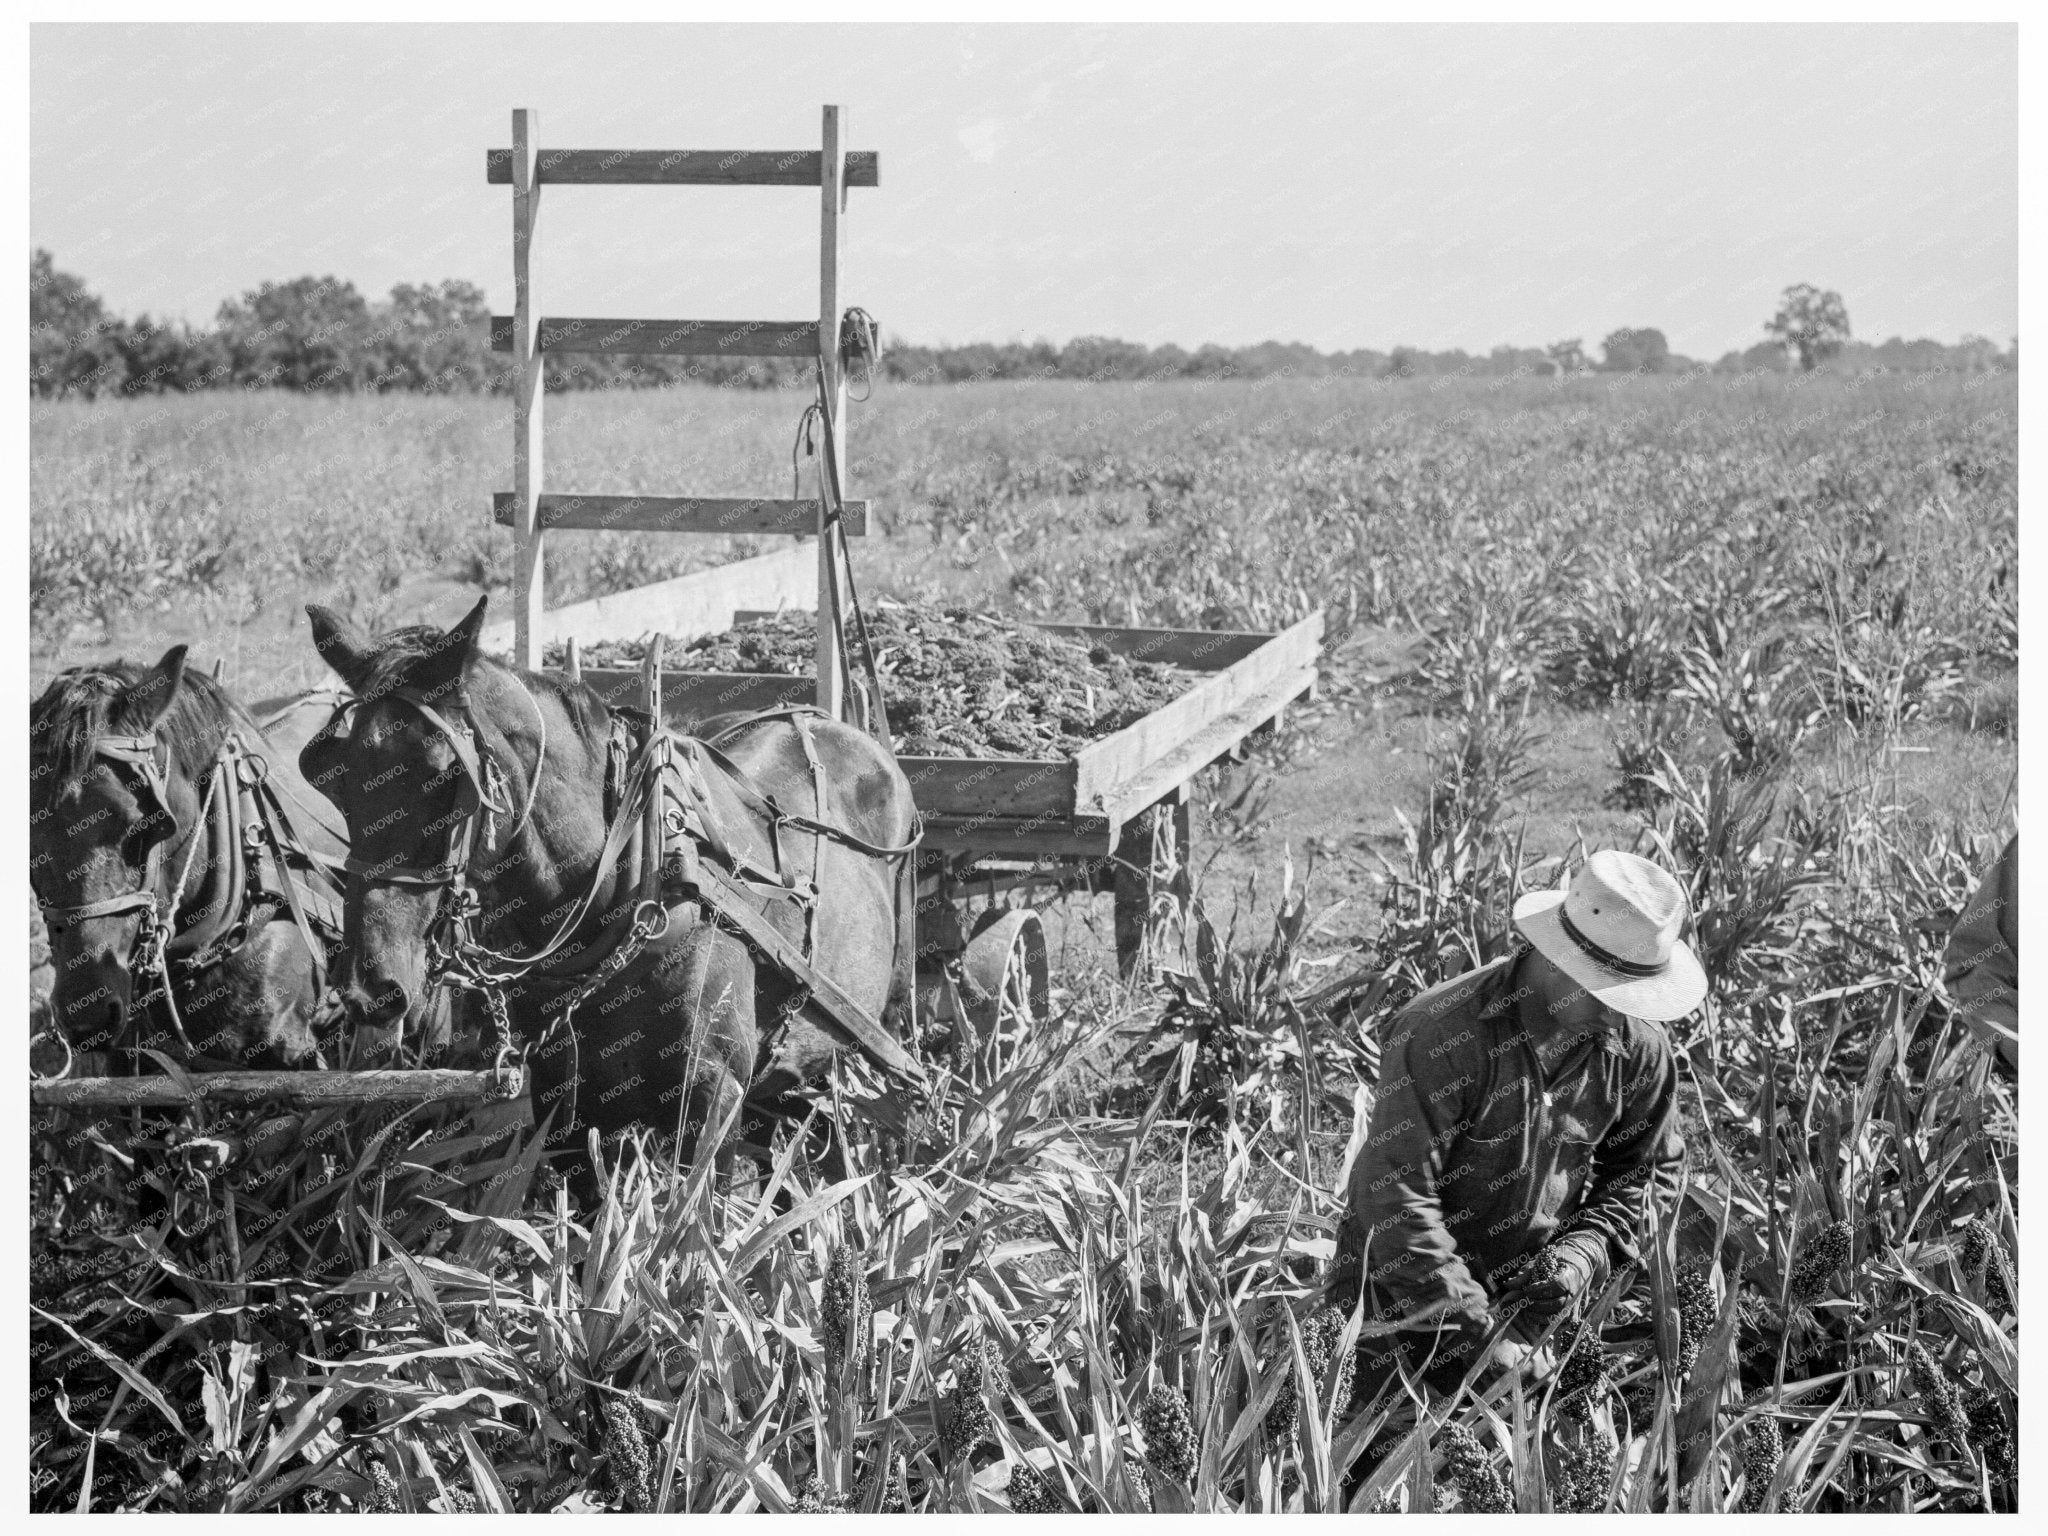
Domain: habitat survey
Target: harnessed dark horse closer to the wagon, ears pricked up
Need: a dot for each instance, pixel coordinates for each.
(486, 812)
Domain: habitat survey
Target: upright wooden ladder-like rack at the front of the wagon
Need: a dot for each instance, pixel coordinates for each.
(529, 337)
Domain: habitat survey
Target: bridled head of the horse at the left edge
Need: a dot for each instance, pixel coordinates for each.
(122, 757)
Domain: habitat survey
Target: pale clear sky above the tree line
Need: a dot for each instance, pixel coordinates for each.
(1330, 185)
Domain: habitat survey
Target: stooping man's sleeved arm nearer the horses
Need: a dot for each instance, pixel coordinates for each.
(1394, 1218)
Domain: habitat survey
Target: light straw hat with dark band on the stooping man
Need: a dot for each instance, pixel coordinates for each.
(1615, 931)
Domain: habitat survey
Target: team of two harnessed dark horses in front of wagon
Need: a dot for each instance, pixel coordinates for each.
(460, 859)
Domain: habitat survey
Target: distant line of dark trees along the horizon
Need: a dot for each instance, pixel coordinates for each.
(323, 335)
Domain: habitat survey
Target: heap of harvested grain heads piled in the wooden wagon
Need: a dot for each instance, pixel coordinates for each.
(957, 683)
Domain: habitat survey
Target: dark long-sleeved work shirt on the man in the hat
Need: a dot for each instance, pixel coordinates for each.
(1496, 1132)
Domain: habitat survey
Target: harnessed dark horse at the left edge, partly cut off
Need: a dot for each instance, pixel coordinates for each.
(179, 861)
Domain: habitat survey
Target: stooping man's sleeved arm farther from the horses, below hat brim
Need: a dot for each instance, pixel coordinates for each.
(1644, 1150)
